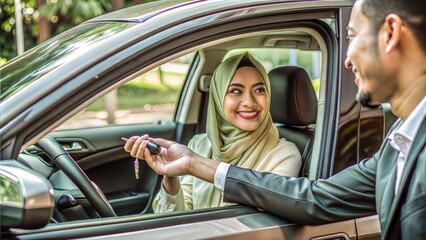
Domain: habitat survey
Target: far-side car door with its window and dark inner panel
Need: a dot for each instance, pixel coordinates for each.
(144, 105)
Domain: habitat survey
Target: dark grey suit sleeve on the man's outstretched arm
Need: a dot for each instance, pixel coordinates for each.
(348, 194)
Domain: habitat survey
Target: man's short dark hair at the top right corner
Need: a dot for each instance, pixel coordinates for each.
(412, 12)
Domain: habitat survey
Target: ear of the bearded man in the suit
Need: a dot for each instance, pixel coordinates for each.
(392, 30)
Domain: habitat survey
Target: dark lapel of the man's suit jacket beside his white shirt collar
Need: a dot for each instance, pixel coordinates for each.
(417, 146)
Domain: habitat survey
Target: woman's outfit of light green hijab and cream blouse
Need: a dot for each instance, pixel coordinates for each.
(258, 150)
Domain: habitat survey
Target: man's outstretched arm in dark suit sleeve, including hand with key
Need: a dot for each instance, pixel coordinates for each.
(349, 194)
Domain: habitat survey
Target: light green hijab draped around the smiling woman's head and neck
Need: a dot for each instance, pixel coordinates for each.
(224, 141)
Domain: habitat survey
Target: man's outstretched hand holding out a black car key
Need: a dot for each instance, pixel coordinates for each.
(173, 160)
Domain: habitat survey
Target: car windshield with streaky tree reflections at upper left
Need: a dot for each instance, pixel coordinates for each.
(23, 71)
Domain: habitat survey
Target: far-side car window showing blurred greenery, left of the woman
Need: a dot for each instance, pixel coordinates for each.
(148, 98)
